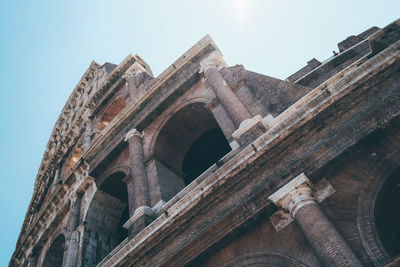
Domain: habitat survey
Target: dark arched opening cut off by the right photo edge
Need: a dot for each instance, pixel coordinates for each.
(387, 214)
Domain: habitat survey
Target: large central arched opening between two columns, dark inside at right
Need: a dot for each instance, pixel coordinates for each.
(188, 144)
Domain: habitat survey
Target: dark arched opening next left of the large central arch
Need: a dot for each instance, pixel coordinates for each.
(107, 213)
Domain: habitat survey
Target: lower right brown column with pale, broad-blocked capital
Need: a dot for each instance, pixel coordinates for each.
(297, 198)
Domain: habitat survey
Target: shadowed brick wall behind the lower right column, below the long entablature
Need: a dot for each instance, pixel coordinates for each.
(357, 176)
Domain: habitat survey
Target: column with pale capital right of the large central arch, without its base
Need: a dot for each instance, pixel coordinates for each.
(237, 111)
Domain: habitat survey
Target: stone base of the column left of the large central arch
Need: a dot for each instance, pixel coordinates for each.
(142, 217)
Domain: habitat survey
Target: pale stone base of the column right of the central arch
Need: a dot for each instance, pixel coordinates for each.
(249, 130)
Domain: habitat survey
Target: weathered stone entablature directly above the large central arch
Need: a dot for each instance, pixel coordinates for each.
(151, 101)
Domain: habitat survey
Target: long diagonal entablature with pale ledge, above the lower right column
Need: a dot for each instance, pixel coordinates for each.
(341, 106)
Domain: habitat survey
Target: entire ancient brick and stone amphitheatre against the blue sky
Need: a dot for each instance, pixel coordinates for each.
(215, 165)
